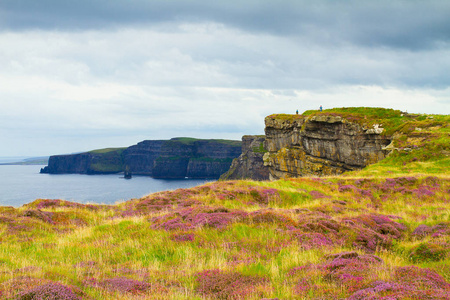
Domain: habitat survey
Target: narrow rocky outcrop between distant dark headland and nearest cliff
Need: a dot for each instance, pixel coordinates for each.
(250, 164)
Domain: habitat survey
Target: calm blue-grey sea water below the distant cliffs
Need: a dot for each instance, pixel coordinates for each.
(21, 184)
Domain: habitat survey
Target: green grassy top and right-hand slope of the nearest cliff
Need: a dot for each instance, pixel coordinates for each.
(421, 142)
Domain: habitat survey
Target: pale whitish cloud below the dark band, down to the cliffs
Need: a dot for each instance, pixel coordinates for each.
(207, 80)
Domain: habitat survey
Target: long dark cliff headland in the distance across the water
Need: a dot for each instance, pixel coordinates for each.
(175, 158)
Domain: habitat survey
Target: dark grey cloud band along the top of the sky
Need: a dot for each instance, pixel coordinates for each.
(399, 24)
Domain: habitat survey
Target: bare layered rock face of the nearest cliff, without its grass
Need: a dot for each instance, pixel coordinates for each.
(320, 145)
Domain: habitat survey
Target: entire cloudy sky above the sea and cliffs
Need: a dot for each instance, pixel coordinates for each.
(88, 74)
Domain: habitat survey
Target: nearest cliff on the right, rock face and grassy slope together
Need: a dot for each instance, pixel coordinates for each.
(347, 139)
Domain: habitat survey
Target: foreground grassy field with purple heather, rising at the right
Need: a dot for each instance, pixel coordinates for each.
(380, 233)
